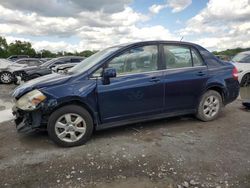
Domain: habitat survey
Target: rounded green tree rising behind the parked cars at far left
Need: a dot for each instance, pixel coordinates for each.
(21, 48)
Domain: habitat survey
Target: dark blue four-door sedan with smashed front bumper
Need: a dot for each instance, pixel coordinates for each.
(126, 84)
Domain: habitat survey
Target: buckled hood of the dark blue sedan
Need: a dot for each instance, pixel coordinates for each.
(41, 82)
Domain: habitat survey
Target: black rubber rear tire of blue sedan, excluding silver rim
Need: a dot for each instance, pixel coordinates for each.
(200, 114)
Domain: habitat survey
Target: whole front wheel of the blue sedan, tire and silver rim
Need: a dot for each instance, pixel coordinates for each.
(66, 121)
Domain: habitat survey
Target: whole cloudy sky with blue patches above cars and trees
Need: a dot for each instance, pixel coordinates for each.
(77, 25)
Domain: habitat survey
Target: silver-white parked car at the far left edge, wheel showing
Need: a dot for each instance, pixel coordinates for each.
(8, 68)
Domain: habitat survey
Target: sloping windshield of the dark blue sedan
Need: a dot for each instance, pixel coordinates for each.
(92, 60)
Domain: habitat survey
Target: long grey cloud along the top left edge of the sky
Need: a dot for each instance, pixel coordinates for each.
(65, 8)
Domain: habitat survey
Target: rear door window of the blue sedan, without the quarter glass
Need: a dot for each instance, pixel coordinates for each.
(177, 56)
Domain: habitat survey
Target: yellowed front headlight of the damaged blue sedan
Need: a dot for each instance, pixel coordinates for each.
(30, 100)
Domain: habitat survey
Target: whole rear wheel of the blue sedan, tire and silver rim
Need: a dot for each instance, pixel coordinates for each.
(210, 106)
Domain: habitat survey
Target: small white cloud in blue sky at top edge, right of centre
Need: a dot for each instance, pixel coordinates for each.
(175, 5)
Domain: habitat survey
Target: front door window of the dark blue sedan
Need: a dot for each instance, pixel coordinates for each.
(136, 60)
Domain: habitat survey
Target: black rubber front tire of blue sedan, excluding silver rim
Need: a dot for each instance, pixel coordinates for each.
(70, 109)
